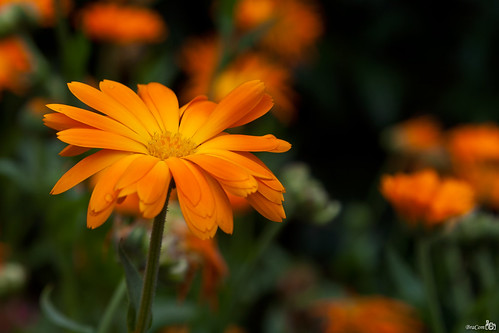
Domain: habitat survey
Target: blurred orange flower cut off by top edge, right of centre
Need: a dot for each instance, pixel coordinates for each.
(294, 25)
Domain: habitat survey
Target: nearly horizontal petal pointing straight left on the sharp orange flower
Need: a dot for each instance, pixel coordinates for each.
(93, 138)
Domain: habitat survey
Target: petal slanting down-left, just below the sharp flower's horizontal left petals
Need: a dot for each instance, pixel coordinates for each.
(87, 167)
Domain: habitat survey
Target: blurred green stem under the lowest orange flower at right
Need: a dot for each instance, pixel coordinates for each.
(426, 271)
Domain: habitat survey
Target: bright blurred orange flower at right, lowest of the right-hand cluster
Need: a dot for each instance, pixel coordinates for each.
(424, 197)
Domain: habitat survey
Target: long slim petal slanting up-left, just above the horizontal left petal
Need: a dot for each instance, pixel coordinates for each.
(96, 120)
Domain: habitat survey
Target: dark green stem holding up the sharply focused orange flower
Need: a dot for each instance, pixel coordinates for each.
(144, 314)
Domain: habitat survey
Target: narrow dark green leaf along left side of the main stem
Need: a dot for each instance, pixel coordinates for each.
(134, 287)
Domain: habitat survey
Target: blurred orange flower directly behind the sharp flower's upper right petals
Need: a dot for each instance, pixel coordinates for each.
(200, 61)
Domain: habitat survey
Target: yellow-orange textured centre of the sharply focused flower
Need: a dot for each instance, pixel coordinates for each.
(166, 145)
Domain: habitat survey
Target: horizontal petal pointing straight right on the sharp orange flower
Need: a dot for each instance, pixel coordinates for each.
(239, 142)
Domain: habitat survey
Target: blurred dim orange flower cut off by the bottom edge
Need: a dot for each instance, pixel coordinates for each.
(375, 314)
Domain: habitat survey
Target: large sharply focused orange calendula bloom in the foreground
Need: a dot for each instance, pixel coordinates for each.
(146, 141)
